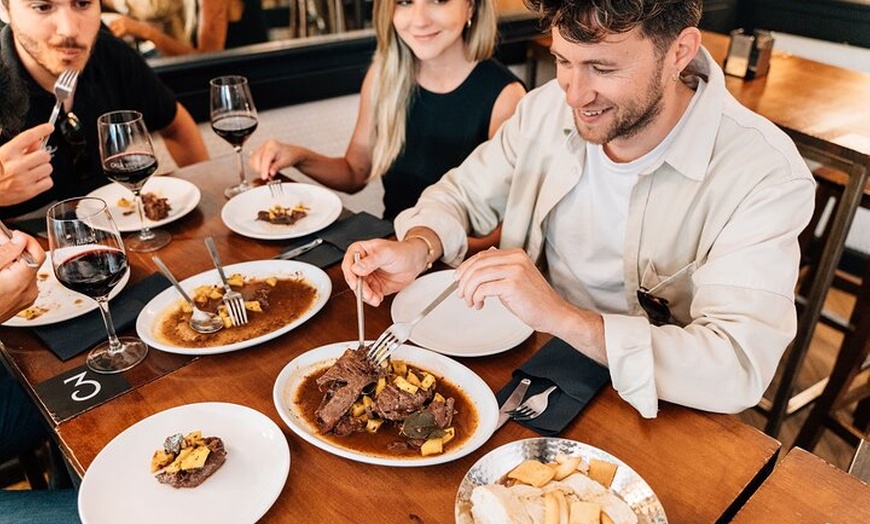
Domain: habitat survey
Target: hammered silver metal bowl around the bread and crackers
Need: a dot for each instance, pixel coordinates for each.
(493, 466)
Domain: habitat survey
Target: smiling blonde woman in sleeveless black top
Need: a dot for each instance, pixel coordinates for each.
(431, 95)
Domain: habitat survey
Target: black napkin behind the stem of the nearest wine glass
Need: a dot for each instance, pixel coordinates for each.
(69, 338)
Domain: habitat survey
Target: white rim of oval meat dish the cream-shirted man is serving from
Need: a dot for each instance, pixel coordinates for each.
(478, 393)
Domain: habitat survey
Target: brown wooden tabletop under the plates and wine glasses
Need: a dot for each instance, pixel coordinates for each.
(702, 466)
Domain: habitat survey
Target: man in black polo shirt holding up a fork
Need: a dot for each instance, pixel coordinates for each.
(45, 38)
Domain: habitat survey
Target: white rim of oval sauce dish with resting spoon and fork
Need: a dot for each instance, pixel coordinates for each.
(146, 323)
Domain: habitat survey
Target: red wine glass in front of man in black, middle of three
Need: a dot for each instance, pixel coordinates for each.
(128, 158)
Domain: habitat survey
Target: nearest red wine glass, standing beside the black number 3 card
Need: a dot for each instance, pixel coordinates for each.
(88, 257)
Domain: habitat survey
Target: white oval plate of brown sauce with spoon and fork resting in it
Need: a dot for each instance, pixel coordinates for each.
(279, 296)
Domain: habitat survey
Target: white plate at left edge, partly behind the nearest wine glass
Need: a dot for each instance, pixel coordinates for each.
(59, 302)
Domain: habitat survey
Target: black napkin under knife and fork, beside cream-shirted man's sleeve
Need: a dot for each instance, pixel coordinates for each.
(577, 376)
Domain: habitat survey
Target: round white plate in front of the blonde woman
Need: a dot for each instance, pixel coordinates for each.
(240, 213)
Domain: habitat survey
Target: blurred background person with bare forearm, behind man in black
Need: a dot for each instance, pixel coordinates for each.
(210, 25)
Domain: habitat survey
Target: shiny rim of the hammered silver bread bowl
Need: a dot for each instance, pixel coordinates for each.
(624, 474)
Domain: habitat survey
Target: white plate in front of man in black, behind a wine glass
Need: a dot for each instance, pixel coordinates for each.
(168, 185)
